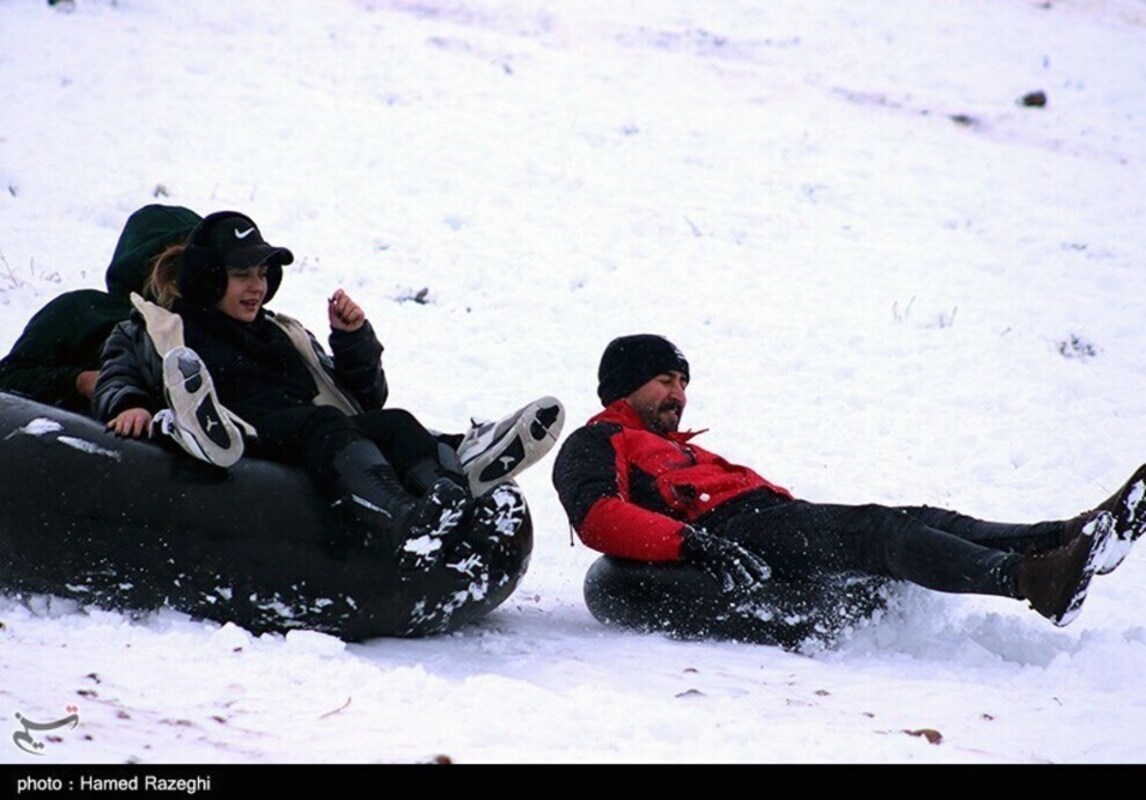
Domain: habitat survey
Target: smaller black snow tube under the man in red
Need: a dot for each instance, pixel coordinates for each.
(685, 602)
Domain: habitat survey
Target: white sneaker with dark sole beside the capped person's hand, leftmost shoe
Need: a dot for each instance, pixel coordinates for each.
(194, 418)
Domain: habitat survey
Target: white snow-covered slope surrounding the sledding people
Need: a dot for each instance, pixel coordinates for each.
(894, 281)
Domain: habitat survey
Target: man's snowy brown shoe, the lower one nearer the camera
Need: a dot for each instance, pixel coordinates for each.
(1055, 582)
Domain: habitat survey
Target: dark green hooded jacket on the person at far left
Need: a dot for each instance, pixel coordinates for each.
(65, 339)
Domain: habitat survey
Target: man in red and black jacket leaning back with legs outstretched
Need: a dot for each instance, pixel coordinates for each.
(634, 487)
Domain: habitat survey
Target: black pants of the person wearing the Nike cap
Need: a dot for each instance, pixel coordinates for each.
(311, 436)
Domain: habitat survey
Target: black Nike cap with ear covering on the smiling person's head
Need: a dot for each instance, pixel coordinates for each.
(226, 239)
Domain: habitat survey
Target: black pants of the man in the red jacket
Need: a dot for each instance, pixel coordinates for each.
(935, 548)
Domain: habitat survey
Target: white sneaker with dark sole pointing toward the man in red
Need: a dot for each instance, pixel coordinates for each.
(494, 452)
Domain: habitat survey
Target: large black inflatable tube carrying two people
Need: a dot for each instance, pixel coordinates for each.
(129, 526)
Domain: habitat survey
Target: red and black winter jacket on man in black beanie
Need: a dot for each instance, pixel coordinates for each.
(629, 492)
